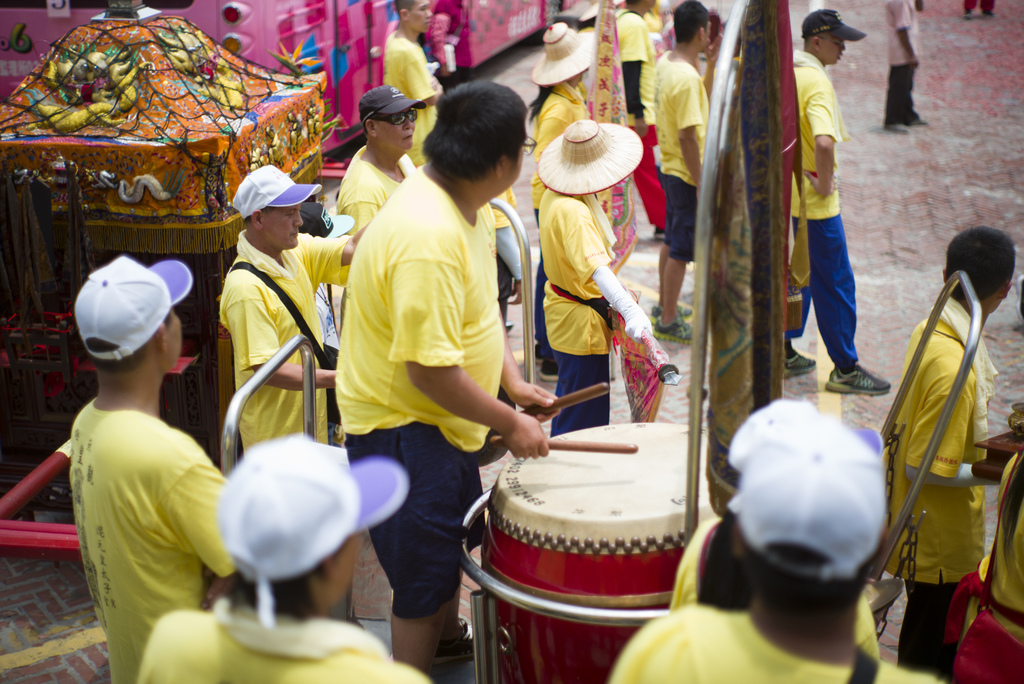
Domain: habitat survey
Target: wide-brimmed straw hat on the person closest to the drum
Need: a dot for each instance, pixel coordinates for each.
(589, 158)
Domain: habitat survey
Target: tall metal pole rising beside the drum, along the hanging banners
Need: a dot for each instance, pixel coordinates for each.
(715, 147)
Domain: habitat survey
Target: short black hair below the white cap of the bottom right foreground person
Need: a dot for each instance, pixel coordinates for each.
(787, 593)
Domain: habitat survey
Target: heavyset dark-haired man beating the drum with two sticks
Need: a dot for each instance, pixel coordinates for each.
(424, 352)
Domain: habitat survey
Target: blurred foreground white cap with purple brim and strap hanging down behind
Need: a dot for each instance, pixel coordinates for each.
(293, 502)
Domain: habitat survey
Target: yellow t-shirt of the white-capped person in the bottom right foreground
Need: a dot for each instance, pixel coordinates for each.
(702, 646)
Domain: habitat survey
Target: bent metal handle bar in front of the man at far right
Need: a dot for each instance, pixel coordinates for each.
(970, 349)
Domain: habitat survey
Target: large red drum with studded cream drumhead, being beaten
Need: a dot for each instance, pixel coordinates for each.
(595, 530)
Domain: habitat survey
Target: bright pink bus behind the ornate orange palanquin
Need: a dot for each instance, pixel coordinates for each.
(348, 36)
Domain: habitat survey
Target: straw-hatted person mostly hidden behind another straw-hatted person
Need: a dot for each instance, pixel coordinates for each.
(561, 102)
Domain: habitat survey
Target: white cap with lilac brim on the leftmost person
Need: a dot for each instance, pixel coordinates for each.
(124, 303)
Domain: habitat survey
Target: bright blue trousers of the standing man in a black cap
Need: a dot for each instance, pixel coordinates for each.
(832, 289)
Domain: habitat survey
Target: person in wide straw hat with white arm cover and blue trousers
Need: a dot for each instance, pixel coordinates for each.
(576, 242)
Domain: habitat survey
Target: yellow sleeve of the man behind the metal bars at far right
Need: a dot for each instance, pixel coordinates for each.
(936, 380)
